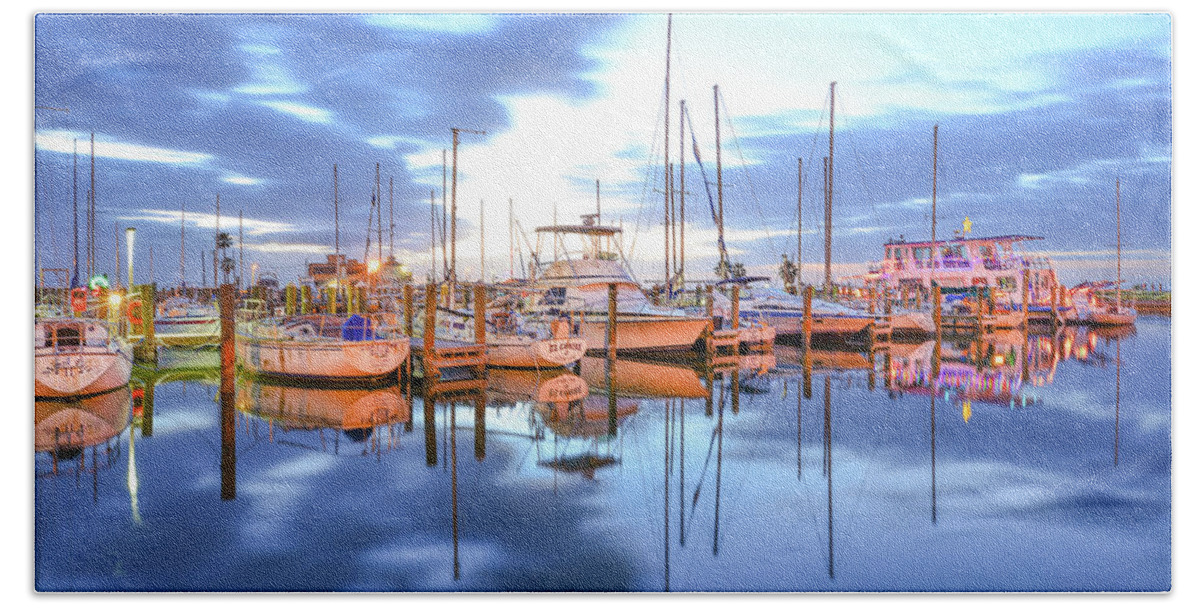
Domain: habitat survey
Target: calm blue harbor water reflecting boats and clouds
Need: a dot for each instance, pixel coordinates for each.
(1023, 471)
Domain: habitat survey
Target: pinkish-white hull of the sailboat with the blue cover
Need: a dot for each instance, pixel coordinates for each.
(323, 359)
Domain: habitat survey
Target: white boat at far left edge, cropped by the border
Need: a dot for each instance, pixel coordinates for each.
(79, 357)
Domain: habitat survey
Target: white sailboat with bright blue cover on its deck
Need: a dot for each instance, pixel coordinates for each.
(321, 347)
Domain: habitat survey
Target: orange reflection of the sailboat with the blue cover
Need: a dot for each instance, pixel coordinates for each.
(367, 417)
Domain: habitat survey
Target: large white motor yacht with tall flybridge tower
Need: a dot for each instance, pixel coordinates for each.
(577, 285)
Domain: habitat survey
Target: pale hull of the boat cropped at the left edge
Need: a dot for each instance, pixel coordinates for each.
(87, 371)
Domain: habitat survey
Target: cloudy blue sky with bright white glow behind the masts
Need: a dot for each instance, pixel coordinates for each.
(1039, 116)
